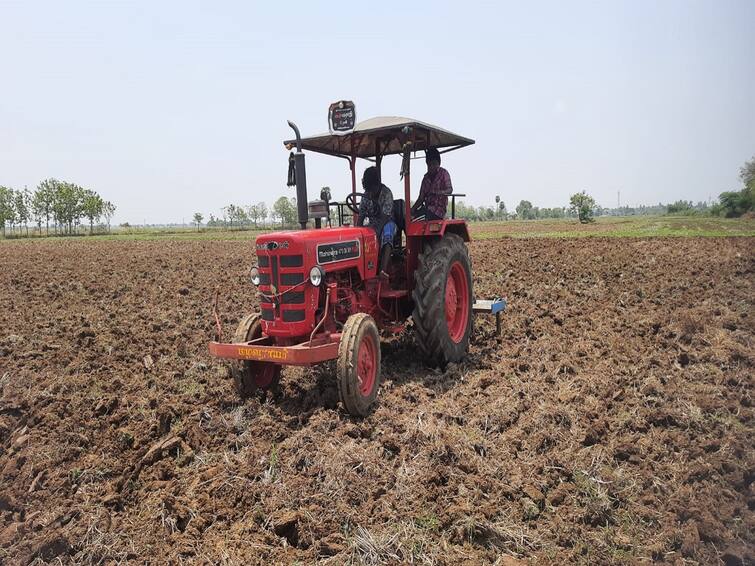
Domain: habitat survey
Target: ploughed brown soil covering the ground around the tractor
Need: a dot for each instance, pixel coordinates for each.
(613, 424)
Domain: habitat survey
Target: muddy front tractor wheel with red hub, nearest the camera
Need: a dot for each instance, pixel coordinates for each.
(359, 364)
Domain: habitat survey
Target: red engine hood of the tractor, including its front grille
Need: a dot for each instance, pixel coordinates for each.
(295, 269)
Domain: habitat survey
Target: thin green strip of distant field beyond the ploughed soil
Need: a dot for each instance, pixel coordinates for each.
(617, 227)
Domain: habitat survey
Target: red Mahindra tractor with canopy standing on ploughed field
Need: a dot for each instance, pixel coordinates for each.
(321, 294)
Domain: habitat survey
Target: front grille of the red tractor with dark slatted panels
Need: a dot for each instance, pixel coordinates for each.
(290, 307)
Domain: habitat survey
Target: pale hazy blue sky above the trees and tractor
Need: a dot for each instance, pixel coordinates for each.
(167, 108)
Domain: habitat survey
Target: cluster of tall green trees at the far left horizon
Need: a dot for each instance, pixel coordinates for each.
(59, 205)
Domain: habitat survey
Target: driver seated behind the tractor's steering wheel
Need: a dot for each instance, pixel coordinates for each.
(375, 210)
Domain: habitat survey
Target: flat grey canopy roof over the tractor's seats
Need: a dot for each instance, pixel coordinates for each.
(384, 135)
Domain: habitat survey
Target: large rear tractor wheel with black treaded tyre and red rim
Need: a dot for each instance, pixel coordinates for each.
(443, 301)
